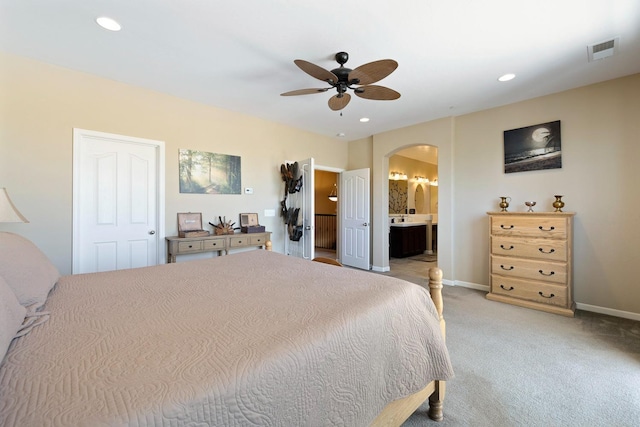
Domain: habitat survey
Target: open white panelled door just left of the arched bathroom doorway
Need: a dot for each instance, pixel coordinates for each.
(355, 218)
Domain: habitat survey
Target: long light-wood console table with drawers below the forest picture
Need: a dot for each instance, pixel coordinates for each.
(222, 243)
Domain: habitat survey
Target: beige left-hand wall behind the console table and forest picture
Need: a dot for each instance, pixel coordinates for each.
(40, 105)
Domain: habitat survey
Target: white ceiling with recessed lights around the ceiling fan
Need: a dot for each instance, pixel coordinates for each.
(239, 55)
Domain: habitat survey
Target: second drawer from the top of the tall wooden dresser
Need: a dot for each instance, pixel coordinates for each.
(544, 249)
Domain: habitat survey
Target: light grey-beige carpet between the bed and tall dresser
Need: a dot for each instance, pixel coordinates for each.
(521, 367)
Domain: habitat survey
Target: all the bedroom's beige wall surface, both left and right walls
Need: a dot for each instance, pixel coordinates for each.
(41, 104)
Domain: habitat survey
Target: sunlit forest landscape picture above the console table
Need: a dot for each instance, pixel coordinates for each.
(209, 173)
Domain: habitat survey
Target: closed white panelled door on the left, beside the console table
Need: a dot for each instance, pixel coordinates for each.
(118, 201)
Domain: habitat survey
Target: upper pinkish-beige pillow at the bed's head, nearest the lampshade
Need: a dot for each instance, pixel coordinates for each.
(27, 270)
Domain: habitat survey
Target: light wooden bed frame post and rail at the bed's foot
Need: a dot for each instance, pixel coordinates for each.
(396, 412)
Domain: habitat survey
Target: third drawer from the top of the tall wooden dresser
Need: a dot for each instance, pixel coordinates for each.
(555, 272)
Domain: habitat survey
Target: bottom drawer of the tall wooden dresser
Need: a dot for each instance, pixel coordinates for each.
(529, 290)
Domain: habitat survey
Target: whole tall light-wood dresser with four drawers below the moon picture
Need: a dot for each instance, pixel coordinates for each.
(531, 260)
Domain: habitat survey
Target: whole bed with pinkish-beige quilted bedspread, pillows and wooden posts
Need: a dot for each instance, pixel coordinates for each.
(253, 338)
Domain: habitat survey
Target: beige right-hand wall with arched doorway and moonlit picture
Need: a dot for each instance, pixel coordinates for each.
(600, 127)
